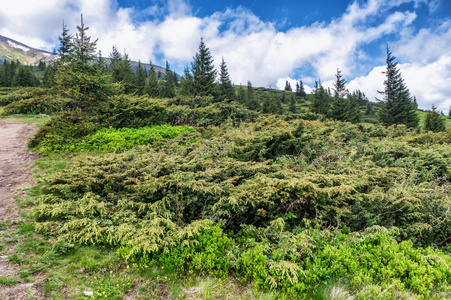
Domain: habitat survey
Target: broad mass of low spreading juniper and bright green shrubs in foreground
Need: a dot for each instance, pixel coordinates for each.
(258, 202)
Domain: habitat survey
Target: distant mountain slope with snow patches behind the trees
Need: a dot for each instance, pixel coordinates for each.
(14, 50)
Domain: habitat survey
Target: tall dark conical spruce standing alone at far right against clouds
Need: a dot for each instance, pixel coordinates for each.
(397, 106)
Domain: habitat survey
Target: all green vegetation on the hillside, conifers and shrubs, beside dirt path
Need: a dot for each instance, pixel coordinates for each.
(157, 185)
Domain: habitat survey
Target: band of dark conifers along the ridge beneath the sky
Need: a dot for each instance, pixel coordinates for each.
(118, 76)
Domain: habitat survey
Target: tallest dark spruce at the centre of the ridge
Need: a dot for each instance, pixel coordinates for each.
(203, 71)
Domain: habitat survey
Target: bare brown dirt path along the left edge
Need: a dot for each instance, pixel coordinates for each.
(14, 176)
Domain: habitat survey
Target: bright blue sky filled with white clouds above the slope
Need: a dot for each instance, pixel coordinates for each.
(266, 42)
